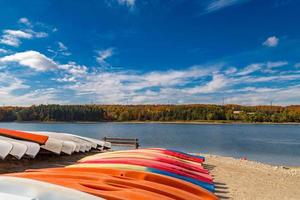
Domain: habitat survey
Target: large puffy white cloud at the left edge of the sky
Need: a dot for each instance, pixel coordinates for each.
(31, 59)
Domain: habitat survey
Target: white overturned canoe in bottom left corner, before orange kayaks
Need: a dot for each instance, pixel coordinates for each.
(32, 189)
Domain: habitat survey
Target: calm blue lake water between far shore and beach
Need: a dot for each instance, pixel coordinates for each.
(275, 144)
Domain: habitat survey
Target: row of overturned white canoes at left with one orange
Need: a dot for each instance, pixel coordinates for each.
(20, 143)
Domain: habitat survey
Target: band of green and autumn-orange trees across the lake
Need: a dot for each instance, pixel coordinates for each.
(200, 112)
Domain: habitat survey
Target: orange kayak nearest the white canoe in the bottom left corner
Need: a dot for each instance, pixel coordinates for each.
(108, 186)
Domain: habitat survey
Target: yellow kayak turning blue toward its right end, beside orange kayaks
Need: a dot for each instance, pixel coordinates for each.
(205, 185)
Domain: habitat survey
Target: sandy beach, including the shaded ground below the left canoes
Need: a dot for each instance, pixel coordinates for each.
(234, 178)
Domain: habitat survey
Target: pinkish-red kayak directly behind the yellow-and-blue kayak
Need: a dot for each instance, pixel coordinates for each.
(155, 164)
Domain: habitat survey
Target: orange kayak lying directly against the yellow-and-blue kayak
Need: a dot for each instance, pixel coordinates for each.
(137, 175)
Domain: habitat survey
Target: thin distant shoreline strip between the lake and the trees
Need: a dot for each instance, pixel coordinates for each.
(158, 122)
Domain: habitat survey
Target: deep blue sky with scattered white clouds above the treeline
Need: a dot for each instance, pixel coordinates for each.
(149, 52)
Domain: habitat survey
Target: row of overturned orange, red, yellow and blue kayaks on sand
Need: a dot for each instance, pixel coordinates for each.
(152, 173)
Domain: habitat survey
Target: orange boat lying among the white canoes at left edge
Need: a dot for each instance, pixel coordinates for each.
(41, 139)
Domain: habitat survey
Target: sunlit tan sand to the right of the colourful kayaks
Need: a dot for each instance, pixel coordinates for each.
(242, 179)
